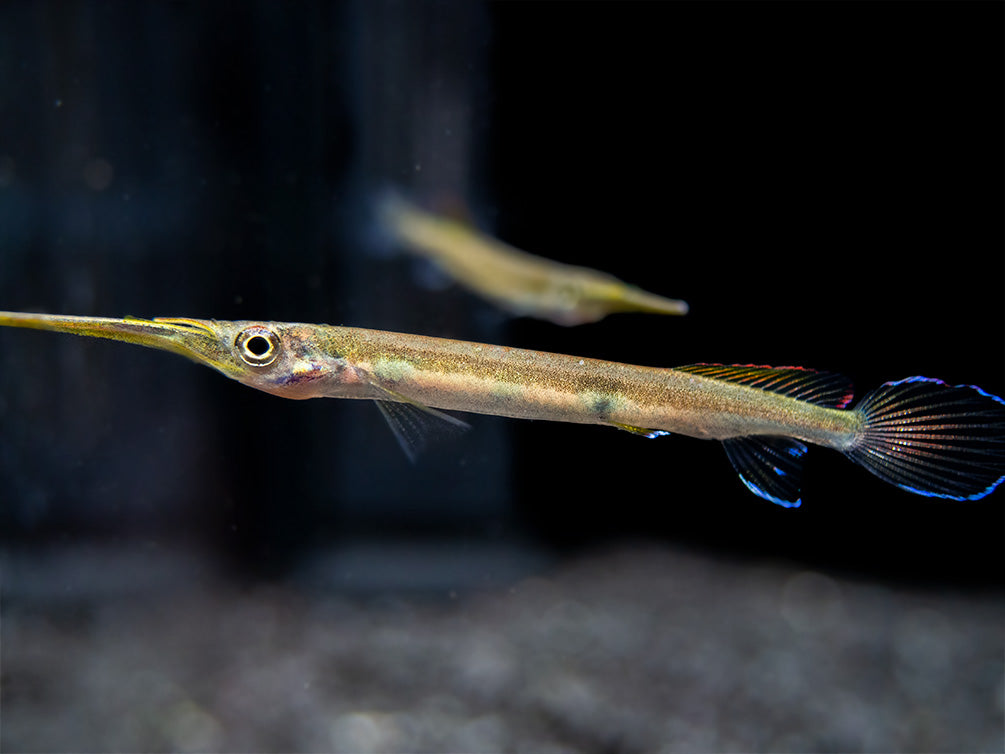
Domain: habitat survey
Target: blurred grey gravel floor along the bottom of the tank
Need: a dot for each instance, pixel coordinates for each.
(637, 650)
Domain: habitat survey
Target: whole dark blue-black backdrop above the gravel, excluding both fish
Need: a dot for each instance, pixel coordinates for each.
(823, 183)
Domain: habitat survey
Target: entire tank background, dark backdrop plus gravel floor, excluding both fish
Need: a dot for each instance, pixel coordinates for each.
(187, 564)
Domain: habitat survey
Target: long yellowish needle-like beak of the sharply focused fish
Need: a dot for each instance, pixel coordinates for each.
(204, 341)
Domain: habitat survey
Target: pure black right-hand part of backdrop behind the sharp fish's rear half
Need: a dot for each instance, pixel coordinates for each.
(824, 184)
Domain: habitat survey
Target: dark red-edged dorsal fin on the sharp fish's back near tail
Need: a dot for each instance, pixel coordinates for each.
(823, 389)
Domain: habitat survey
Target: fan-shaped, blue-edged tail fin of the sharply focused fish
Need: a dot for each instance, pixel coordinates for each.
(932, 439)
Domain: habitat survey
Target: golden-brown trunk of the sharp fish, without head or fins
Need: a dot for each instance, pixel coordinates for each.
(481, 379)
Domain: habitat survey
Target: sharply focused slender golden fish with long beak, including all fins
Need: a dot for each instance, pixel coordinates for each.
(921, 435)
